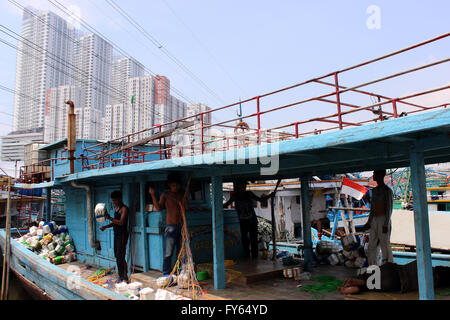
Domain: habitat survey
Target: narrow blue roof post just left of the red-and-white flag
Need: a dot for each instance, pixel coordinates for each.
(306, 223)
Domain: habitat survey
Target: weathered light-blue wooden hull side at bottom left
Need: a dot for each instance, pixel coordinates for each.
(51, 279)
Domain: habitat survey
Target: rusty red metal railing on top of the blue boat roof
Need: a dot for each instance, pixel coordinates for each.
(205, 137)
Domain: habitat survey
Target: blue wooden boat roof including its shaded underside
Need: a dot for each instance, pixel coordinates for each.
(381, 145)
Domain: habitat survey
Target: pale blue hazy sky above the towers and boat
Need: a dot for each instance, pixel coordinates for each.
(242, 49)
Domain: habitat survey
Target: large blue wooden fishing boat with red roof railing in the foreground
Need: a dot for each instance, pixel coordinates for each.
(379, 137)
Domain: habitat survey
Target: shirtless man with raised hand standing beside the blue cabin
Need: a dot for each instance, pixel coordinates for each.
(170, 200)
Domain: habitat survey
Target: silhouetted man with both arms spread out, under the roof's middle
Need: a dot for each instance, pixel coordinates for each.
(243, 202)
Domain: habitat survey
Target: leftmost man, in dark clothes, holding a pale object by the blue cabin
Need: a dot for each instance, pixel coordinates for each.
(120, 226)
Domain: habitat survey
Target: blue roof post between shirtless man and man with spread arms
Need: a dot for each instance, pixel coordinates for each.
(218, 232)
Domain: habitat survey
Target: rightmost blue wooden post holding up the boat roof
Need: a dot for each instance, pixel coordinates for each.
(422, 227)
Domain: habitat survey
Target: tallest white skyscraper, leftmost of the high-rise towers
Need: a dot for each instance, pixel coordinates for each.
(42, 63)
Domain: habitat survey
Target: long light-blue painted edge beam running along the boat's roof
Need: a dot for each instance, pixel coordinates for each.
(394, 127)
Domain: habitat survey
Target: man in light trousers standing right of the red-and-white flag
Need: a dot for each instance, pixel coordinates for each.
(380, 220)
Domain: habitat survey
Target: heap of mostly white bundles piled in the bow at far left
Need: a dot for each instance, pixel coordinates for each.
(50, 242)
